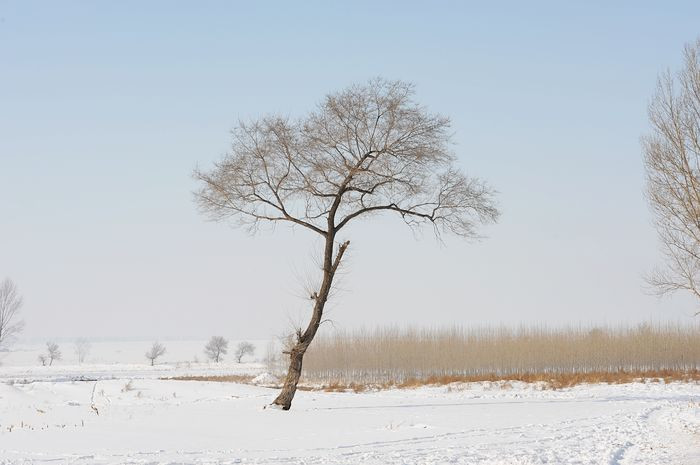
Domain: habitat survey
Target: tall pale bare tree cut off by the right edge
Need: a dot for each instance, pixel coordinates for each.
(672, 161)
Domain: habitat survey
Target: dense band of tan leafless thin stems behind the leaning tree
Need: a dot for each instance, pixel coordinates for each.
(405, 355)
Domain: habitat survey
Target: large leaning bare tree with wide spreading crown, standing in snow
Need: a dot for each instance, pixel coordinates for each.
(365, 150)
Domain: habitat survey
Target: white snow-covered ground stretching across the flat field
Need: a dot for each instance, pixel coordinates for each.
(45, 417)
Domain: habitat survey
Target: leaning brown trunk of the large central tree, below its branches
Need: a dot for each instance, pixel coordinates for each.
(296, 354)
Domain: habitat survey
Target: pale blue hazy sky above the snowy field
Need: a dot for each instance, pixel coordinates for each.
(106, 108)
